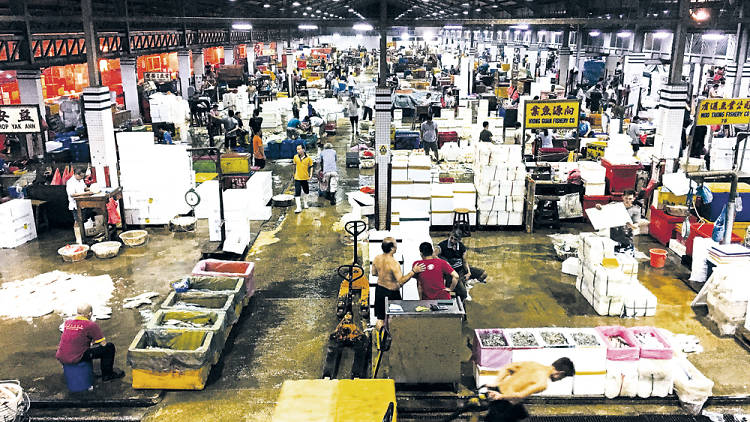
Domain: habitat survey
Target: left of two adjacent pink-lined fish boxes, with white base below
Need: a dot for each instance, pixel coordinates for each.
(622, 362)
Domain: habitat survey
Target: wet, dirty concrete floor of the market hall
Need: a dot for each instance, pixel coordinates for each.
(283, 332)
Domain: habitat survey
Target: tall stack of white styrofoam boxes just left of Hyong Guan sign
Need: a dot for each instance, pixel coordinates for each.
(500, 183)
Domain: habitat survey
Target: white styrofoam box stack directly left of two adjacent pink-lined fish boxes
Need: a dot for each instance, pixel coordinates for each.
(589, 358)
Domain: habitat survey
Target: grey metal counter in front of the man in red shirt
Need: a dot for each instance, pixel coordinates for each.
(427, 347)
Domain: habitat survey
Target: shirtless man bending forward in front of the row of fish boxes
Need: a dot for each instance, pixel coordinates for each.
(520, 380)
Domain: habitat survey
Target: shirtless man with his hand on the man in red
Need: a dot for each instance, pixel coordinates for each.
(388, 271)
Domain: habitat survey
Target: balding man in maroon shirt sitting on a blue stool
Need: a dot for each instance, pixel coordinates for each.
(82, 340)
